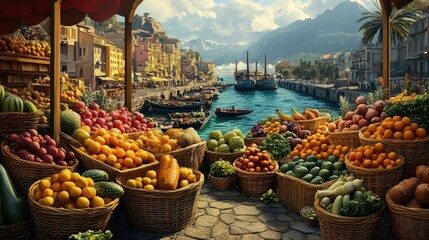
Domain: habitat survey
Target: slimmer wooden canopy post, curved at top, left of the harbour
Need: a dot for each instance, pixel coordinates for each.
(129, 55)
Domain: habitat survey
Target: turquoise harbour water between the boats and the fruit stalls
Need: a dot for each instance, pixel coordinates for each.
(263, 103)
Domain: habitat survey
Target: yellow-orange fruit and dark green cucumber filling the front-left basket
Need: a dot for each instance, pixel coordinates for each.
(70, 190)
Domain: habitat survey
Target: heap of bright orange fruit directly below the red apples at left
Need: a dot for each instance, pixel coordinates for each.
(115, 149)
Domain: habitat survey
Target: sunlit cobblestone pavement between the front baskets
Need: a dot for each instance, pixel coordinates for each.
(228, 215)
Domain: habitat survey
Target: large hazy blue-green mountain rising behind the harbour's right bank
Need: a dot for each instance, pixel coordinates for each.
(333, 30)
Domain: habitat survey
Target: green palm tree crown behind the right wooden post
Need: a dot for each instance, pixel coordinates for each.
(400, 23)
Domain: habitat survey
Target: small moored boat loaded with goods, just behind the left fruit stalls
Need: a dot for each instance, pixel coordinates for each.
(184, 120)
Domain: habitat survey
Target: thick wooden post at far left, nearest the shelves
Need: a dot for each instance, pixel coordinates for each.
(54, 73)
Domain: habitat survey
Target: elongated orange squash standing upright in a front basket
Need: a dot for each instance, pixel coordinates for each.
(168, 176)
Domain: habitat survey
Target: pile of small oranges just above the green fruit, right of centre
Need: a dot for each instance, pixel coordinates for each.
(319, 145)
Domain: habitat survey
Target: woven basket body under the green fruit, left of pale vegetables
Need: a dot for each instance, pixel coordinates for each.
(296, 193)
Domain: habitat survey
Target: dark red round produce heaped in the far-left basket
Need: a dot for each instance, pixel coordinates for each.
(32, 146)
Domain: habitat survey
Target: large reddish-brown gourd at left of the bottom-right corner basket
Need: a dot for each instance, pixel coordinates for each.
(404, 191)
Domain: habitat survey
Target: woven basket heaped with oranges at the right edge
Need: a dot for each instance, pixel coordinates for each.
(407, 138)
